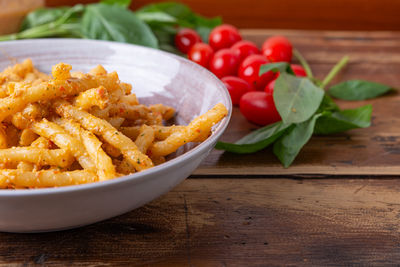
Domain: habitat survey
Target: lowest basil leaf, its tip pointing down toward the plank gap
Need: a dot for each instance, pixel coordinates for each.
(290, 144)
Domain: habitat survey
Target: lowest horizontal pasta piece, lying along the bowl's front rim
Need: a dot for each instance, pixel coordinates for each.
(46, 178)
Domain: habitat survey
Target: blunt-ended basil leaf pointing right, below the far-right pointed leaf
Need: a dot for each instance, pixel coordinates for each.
(344, 120)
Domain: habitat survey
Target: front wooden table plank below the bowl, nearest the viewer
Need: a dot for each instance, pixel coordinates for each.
(234, 222)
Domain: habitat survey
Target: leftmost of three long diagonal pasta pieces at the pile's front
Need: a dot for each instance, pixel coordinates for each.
(63, 140)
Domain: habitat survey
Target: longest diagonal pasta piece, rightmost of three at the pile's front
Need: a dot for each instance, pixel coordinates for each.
(111, 135)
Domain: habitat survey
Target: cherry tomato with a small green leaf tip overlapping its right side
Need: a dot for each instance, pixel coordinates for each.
(250, 68)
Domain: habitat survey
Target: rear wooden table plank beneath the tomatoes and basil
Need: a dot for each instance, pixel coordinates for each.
(373, 151)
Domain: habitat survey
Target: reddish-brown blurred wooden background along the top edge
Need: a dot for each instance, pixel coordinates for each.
(293, 14)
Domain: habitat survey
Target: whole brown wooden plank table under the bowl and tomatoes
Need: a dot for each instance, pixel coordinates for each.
(339, 204)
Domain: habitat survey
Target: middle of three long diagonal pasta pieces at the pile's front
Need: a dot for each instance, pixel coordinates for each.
(105, 168)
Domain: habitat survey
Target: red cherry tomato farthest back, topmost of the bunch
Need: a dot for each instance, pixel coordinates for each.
(223, 36)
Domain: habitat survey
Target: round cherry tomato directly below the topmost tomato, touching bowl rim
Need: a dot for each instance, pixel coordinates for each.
(225, 62)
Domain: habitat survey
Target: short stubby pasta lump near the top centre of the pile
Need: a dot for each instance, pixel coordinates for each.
(92, 97)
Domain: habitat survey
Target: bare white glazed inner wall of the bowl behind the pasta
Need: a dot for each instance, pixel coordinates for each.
(156, 77)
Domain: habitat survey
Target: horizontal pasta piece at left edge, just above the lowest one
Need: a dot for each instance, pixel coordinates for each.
(40, 156)
